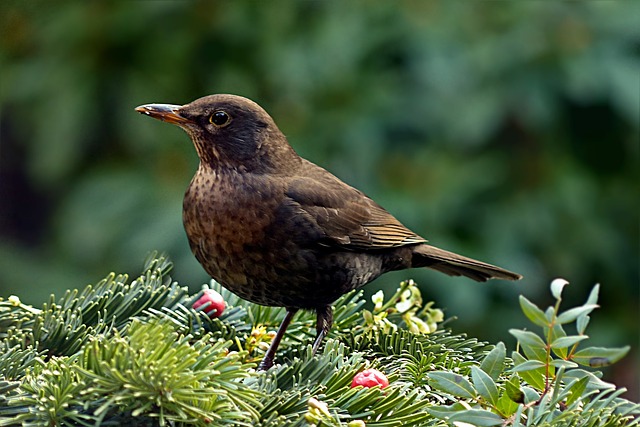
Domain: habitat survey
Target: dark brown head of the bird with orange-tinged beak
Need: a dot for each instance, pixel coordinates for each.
(229, 131)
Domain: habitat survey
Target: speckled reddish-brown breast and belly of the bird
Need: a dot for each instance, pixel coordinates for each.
(230, 218)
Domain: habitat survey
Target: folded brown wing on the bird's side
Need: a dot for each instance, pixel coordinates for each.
(346, 217)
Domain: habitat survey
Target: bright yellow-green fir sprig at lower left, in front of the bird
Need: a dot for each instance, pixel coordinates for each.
(182, 380)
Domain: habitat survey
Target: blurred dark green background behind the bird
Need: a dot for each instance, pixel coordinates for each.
(507, 131)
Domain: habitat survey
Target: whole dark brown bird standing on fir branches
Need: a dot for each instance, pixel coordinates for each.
(278, 230)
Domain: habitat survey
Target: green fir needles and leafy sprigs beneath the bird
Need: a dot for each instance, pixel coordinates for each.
(136, 353)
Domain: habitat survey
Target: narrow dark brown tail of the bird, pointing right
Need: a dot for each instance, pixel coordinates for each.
(458, 265)
